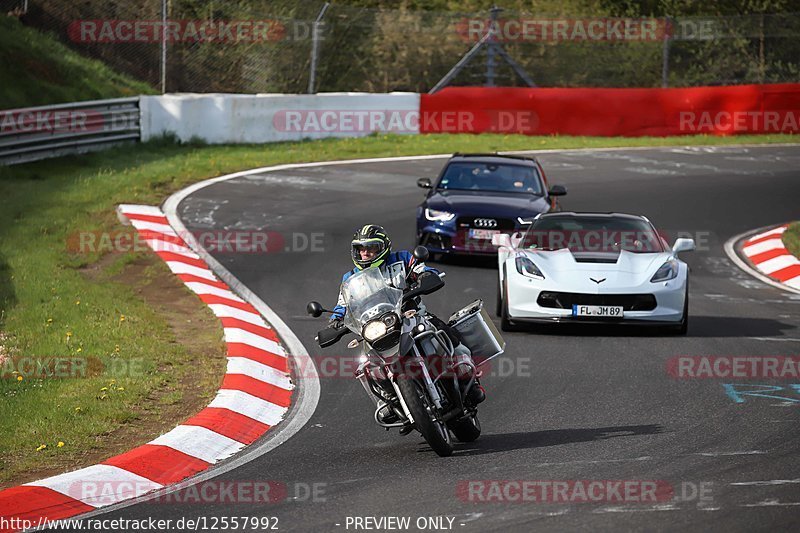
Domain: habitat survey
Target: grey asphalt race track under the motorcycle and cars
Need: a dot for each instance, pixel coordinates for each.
(566, 404)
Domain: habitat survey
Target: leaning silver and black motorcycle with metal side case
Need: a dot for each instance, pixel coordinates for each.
(408, 365)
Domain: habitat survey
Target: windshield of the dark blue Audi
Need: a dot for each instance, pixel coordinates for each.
(491, 177)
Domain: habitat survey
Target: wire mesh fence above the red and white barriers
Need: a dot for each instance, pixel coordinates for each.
(252, 47)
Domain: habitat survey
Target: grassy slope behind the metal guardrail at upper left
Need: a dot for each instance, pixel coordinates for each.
(44, 71)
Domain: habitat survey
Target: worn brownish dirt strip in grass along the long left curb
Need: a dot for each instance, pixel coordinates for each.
(199, 373)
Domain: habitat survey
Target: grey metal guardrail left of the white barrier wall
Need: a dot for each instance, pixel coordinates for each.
(36, 133)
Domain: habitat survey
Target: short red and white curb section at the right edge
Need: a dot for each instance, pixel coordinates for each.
(769, 256)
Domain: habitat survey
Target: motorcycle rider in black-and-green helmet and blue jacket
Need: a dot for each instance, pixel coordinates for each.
(371, 248)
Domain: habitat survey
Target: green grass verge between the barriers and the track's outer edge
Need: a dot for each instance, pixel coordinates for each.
(50, 307)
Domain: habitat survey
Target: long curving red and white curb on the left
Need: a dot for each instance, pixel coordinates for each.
(255, 395)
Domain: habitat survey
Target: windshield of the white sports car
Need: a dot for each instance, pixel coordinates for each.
(592, 234)
